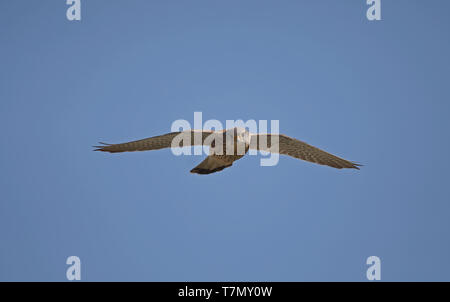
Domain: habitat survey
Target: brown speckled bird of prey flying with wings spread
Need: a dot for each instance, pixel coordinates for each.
(227, 146)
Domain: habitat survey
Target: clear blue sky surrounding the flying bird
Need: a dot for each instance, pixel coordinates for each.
(373, 92)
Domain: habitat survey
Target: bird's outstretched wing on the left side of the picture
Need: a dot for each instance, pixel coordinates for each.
(173, 139)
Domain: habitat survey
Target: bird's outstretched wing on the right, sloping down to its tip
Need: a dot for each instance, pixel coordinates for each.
(298, 149)
